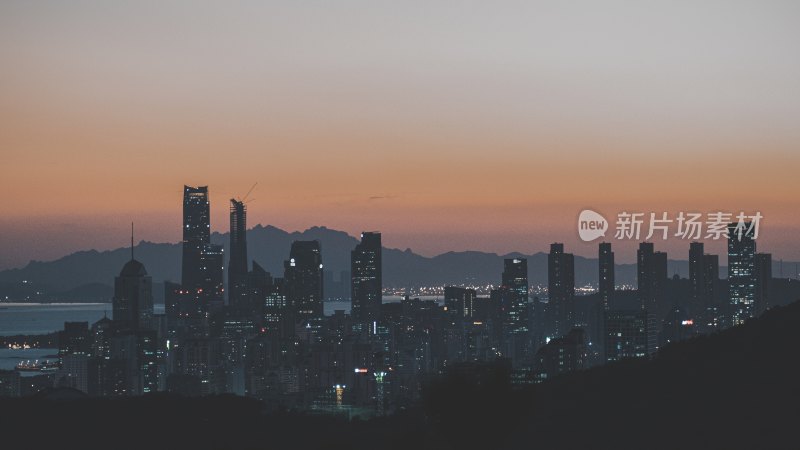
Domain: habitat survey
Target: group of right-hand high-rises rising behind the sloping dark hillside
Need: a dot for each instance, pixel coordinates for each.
(635, 323)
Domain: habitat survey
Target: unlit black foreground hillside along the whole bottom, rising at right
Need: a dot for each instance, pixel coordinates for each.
(736, 389)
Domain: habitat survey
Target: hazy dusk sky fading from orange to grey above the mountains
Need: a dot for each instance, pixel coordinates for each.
(449, 125)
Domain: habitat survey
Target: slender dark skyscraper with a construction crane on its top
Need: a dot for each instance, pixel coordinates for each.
(237, 266)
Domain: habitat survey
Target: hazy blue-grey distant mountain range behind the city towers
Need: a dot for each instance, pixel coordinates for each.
(90, 274)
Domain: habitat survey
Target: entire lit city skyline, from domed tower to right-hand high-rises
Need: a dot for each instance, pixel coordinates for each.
(267, 336)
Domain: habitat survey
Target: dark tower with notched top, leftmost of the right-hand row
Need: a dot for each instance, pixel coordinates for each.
(561, 289)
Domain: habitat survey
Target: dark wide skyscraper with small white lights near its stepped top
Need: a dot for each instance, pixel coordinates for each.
(303, 277)
